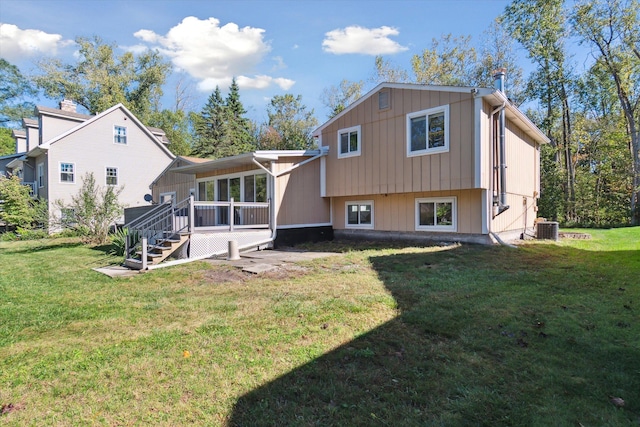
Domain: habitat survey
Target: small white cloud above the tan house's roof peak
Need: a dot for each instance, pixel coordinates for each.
(367, 41)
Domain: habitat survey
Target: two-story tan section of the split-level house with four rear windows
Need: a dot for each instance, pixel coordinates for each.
(421, 162)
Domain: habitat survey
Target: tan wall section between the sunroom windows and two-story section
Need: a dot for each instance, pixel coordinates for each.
(298, 194)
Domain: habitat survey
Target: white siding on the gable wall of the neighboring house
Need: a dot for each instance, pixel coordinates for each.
(92, 149)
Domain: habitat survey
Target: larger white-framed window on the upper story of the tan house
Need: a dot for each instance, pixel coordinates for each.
(427, 131)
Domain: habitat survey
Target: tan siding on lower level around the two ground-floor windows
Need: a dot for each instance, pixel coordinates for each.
(397, 212)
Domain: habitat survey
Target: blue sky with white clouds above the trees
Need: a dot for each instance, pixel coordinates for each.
(272, 47)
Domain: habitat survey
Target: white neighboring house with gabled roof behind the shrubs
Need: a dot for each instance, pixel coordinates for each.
(113, 145)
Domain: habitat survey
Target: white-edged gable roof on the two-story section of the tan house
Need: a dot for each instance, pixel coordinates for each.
(493, 96)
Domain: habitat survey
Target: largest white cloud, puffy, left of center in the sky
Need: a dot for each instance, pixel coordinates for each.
(214, 54)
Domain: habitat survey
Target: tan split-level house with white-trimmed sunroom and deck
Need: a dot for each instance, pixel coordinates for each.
(404, 162)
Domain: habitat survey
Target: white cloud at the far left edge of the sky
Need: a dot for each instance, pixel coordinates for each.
(18, 44)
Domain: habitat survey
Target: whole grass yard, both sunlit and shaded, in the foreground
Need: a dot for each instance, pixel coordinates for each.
(546, 334)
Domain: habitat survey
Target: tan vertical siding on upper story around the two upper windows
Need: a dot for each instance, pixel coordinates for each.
(383, 166)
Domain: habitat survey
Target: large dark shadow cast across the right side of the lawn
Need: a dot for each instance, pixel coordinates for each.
(485, 336)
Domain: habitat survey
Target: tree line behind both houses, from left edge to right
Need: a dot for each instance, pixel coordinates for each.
(590, 170)
